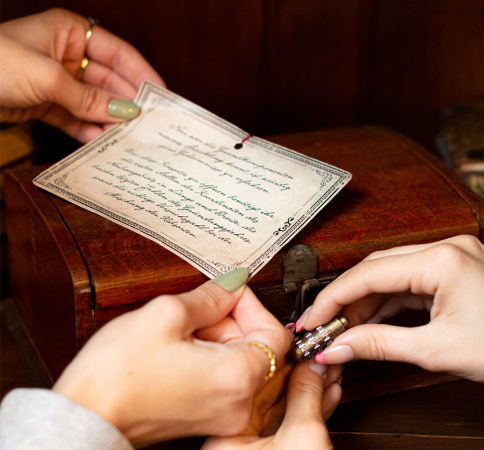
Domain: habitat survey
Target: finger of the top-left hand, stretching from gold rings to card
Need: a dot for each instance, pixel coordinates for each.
(117, 54)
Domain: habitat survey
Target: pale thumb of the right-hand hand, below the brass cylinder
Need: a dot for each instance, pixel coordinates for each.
(376, 342)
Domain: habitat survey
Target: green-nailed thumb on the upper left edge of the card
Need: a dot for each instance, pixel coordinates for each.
(88, 102)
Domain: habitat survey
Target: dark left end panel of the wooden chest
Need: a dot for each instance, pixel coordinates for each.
(49, 283)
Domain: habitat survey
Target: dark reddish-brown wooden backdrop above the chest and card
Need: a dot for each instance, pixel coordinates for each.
(278, 66)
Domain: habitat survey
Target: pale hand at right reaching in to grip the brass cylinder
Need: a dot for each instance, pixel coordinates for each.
(446, 278)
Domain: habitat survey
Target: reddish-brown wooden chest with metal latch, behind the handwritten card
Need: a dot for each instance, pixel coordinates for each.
(72, 271)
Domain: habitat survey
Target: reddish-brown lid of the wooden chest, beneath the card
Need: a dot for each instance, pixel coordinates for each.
(399, 195)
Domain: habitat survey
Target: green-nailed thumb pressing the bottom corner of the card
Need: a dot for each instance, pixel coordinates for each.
(209, 303)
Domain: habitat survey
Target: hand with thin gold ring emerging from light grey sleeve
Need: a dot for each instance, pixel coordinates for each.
(149, 375)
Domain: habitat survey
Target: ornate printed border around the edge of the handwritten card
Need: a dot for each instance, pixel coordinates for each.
(214, 268)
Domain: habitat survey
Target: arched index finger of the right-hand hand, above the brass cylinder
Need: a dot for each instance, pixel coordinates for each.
(416, 272)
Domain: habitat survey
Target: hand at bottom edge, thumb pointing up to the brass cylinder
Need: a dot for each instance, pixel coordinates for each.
(295, 421)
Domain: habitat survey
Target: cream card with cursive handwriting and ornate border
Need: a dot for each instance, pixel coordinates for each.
(174, 175)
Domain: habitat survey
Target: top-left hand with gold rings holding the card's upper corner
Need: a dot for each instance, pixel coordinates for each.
(41, 55)
